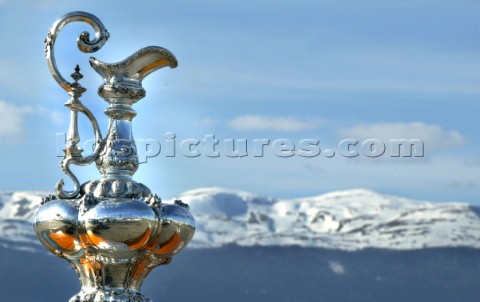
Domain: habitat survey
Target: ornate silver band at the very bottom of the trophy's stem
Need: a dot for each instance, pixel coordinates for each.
(108, 296)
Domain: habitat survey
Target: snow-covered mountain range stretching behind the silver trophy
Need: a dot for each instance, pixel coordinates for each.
(345, 220)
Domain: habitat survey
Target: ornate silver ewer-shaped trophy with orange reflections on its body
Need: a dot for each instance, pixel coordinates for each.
(112, 230)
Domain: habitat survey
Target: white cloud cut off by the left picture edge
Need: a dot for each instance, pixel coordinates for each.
(12, 119)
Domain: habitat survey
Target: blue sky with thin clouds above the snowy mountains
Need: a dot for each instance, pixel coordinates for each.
(324, 70)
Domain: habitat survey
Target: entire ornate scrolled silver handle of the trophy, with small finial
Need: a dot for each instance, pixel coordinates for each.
(72, 151)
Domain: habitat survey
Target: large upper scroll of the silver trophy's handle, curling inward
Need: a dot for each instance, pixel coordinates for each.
(83, 41)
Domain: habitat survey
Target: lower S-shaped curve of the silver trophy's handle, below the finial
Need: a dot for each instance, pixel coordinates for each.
(79, 160)
